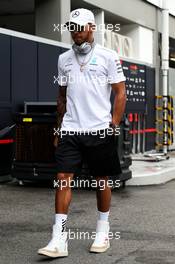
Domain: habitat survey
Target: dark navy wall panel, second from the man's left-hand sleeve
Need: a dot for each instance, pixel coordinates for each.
(24, 71)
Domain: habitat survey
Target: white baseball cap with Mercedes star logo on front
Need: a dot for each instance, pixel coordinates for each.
(81, 16)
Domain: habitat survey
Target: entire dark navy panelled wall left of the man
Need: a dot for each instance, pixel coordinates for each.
(27, 74)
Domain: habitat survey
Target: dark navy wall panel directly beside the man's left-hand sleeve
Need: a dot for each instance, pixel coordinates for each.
(47, 72)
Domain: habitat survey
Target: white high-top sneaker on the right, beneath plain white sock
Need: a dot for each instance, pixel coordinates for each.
(101, 242)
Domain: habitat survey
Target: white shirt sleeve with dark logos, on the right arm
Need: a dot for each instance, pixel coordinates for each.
(115, 71)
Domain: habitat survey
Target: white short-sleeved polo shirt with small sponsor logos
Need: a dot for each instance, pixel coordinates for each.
(88, 104)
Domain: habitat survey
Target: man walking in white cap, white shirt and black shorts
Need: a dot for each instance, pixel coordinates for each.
(87, 74)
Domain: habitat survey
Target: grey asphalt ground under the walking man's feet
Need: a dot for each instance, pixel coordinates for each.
(144, 216)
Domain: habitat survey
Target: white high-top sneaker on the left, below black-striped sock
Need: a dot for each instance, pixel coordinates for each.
(58, 246)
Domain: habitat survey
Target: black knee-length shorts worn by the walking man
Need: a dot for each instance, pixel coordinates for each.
(99, 153)
